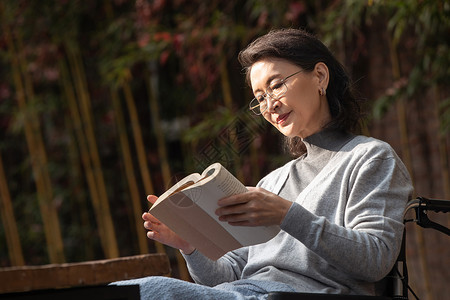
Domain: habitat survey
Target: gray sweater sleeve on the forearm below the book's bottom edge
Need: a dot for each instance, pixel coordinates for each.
(210, 273)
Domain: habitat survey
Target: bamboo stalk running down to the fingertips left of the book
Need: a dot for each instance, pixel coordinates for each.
(140, 149)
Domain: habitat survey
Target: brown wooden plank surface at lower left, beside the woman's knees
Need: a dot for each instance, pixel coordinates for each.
(88, 274)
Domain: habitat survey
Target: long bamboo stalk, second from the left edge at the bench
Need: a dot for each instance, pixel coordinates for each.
(37, 152)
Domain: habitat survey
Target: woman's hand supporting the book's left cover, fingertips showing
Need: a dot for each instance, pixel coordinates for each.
(161, 233)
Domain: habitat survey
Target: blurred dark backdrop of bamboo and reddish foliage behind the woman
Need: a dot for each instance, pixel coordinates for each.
(103, 102)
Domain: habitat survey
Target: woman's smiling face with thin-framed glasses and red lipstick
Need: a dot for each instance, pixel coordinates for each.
(301, 111)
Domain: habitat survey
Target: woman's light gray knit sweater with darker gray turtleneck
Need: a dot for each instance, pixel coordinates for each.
(343, 231)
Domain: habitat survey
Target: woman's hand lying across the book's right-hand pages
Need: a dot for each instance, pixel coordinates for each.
(257, 207)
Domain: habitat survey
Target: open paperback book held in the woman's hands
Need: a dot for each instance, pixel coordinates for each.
(188, 209)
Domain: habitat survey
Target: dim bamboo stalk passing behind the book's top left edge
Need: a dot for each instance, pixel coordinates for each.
(151, 84)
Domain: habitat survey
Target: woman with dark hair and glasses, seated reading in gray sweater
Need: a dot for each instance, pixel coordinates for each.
(339, 204)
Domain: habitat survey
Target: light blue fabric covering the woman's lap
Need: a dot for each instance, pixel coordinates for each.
(156, 287)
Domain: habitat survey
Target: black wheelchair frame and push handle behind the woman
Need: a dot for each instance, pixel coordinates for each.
(397, 280)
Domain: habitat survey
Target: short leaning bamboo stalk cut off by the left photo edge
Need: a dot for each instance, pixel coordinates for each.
(9, 222)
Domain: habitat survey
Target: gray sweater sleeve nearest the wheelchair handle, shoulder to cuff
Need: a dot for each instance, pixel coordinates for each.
(367, 240)
